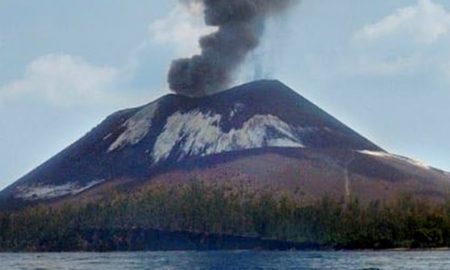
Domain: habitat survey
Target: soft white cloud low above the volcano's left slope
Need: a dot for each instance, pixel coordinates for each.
(61, 80)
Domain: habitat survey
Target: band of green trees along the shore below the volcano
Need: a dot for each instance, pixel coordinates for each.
(198, 207)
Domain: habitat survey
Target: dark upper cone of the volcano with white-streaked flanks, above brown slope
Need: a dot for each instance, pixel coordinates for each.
(176, 131)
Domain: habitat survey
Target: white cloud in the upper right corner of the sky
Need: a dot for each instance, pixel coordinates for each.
(425, 22)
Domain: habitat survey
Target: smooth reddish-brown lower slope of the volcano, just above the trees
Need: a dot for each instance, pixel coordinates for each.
(305, 174)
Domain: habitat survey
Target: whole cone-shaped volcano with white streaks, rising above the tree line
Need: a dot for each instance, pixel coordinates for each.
(262, 134)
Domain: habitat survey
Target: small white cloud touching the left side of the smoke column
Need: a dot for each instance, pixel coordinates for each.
(182, 28)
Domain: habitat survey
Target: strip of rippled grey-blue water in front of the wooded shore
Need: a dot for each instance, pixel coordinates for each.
(227, 260)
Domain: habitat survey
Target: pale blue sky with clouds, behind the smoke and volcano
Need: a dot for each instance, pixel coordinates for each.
(381, 67)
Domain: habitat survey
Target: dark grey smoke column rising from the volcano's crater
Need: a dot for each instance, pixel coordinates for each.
(240, 25)
